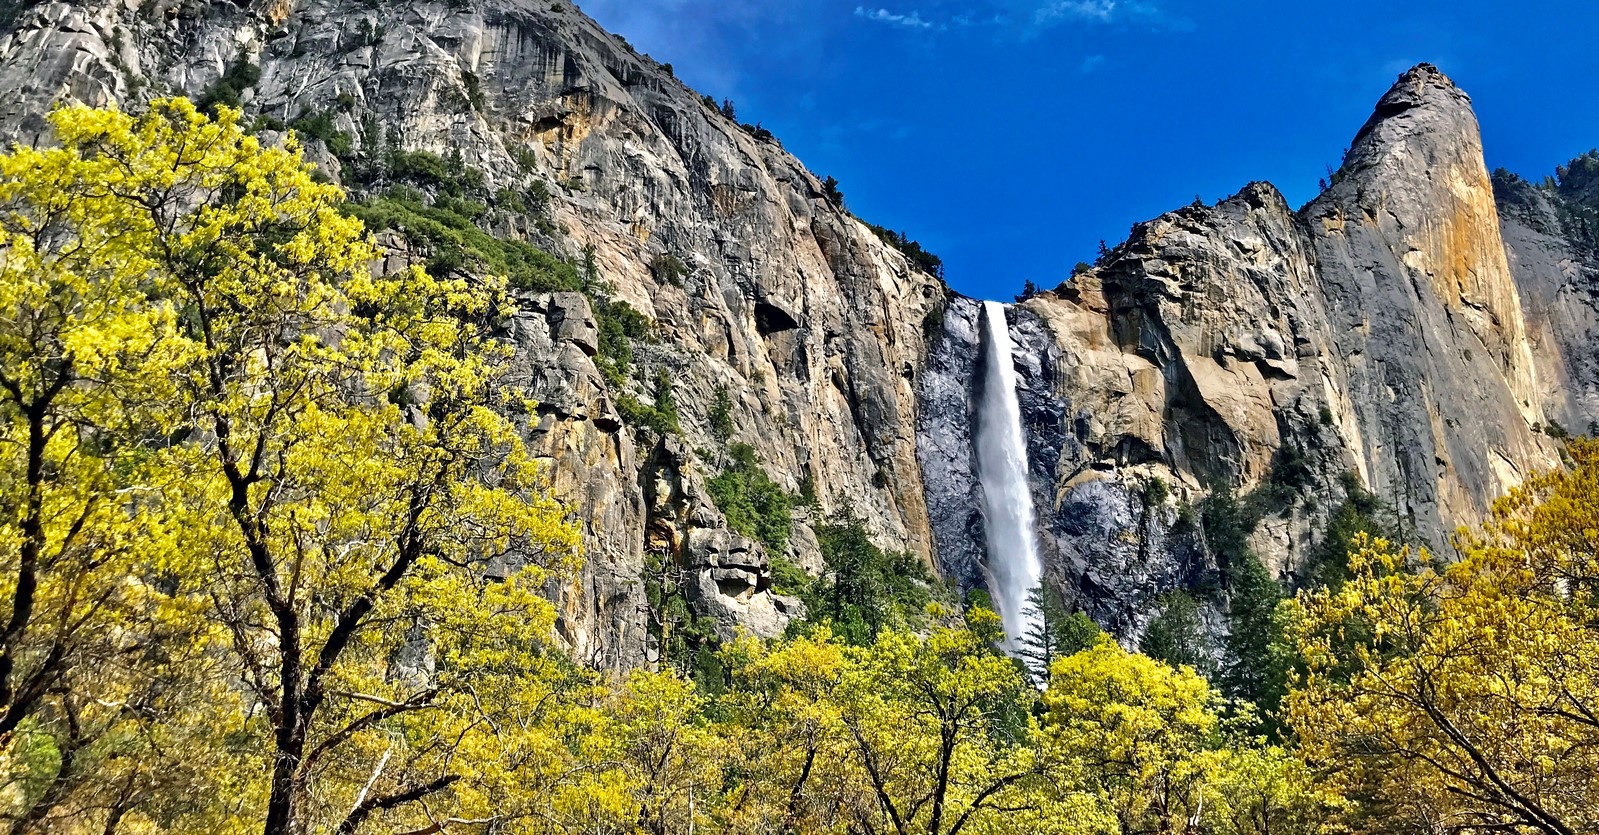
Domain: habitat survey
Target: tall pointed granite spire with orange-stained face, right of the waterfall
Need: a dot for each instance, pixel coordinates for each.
(1426, 311)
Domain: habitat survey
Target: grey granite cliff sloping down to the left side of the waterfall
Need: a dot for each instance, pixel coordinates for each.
(807, 321)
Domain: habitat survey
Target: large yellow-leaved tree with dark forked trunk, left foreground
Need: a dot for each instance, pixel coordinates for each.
(324, 466)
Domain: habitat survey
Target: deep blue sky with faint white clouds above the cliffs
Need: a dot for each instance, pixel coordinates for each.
(1011, 137)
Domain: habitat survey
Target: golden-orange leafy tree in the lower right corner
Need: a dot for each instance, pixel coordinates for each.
(1467, 698)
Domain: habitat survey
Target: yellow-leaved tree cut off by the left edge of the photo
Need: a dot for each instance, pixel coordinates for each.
(76, 362)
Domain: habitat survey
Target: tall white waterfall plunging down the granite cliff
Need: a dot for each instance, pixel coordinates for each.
(1015, 567)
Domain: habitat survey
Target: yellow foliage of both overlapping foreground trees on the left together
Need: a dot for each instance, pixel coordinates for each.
(322, 482)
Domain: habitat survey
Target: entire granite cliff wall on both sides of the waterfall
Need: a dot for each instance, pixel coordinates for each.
(1416, 326)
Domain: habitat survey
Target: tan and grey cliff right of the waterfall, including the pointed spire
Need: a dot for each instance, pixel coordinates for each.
(1405, 327)
